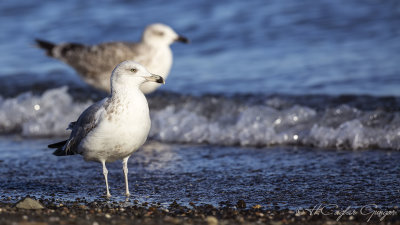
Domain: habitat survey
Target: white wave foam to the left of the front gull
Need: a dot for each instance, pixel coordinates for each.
(45, 115)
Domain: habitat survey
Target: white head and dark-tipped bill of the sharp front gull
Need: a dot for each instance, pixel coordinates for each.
(130, 74)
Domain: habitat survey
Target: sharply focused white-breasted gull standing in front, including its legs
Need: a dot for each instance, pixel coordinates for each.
(115, 127)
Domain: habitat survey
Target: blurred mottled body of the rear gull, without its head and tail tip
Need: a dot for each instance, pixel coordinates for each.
(95, 63)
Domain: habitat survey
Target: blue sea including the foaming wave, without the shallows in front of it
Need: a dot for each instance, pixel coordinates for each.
(257, 73)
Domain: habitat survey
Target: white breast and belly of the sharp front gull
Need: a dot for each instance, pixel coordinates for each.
(121, 130)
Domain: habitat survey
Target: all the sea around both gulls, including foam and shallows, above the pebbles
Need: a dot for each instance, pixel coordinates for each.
(258, 76)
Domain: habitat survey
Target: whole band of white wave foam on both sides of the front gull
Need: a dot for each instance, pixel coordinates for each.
(219, 121)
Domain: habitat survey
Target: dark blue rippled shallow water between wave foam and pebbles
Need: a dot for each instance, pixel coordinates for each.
(274, 177)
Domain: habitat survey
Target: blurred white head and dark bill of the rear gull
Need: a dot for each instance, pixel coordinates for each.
(160, 34)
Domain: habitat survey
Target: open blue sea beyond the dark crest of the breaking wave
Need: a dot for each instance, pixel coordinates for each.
(287, 47)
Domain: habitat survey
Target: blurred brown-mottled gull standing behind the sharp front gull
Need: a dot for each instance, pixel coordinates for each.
(95, 63)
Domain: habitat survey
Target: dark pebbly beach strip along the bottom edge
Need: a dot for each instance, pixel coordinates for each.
(105, 212)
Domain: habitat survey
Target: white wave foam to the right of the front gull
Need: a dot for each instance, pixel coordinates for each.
(263, 126)
